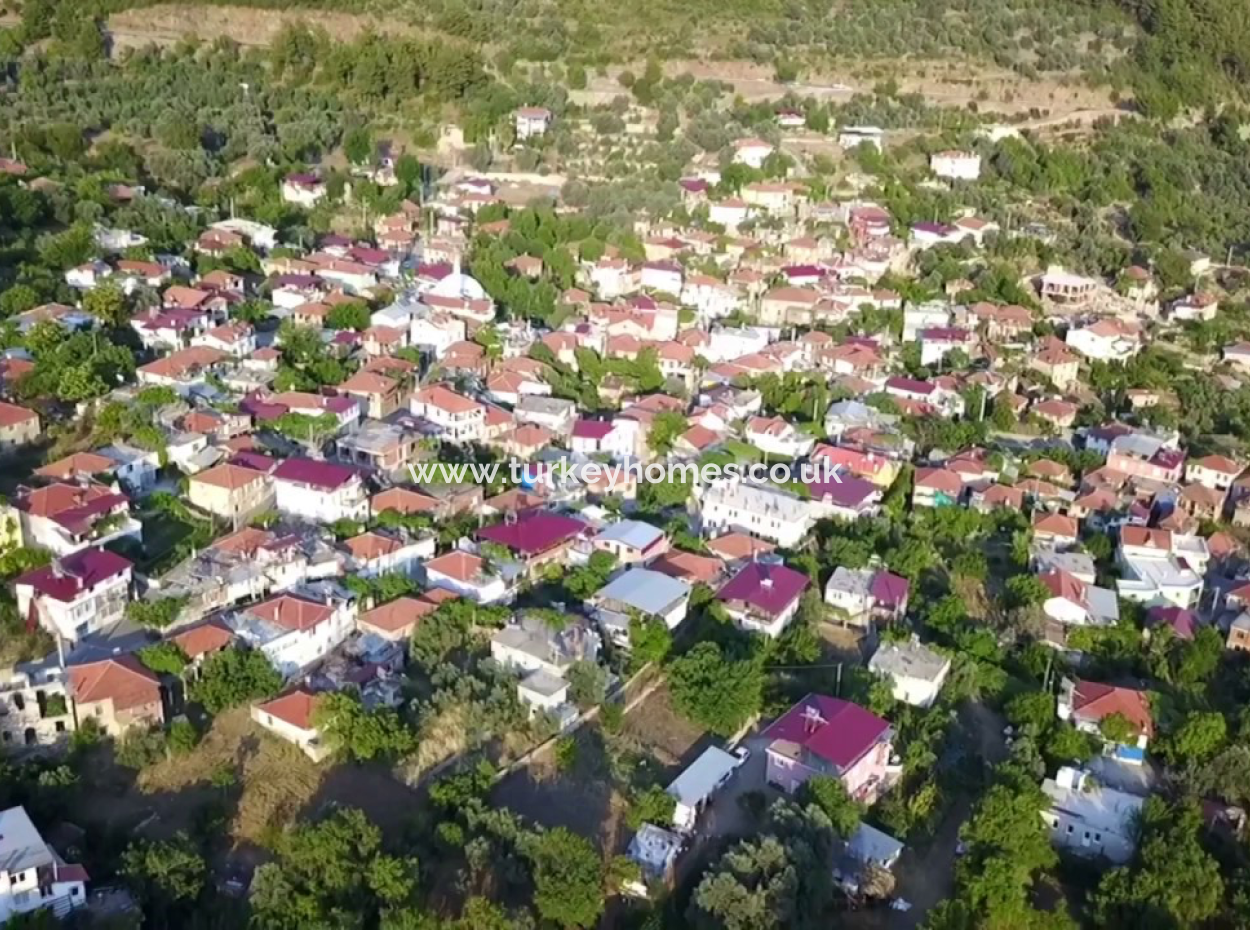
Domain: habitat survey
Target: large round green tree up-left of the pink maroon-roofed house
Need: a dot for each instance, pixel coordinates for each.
(716, 692)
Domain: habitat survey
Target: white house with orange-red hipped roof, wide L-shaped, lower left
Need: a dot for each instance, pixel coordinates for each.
(294, 631)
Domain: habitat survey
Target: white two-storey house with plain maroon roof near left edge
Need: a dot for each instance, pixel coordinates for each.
(76, 596)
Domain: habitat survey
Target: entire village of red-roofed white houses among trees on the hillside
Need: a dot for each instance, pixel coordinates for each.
(1019, 509)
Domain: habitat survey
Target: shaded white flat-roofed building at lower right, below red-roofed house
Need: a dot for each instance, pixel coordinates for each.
(1089, 819)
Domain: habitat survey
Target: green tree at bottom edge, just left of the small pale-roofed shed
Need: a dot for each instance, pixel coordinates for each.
(568, 878)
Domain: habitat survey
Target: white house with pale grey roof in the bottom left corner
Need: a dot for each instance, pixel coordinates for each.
(33, 876)
